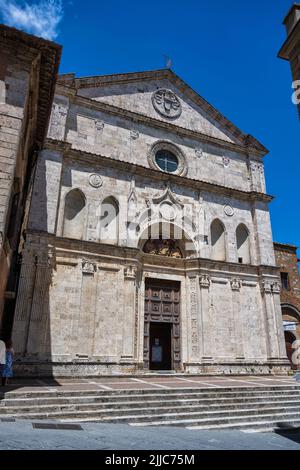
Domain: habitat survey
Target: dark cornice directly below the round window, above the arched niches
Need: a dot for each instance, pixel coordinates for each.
(66, 149)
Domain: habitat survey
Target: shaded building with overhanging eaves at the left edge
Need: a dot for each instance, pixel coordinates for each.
(28, 68)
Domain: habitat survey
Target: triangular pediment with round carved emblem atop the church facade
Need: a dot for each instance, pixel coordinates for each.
(162, 95)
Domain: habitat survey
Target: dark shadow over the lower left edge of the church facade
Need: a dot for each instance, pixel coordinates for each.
(27, 317)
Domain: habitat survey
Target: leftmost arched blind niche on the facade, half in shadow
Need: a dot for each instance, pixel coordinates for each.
(74, 215)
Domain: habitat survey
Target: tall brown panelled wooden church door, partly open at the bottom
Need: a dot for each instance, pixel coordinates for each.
(162, 324)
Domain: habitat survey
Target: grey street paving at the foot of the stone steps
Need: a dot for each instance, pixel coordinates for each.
(22, 435)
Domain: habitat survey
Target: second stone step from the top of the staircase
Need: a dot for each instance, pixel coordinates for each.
(150, 407)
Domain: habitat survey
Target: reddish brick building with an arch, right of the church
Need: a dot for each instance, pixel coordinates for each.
(287, 261)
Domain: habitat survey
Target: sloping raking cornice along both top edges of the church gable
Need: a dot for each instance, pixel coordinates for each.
(159, 74)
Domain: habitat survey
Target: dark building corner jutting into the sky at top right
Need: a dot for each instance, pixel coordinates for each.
(291, 48)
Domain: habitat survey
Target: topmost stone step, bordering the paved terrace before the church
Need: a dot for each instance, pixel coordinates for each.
(149, 400)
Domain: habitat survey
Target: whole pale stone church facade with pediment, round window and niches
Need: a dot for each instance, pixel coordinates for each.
(149, 243)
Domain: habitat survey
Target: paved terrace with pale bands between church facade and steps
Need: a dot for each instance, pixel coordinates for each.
(153, 382)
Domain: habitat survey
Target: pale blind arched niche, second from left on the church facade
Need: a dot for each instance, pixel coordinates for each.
(109, 221)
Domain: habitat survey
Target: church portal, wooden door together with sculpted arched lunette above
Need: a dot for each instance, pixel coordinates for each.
(162, 332)
